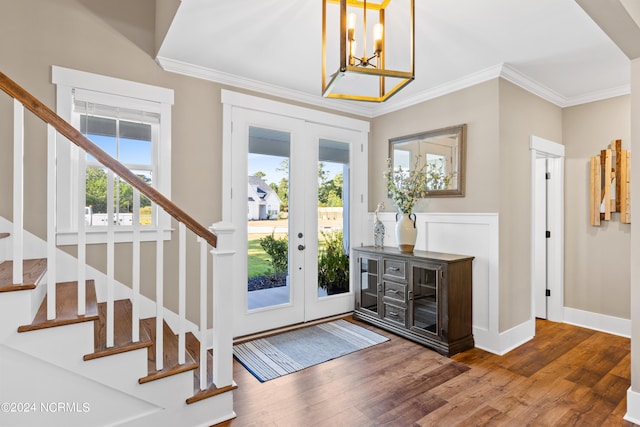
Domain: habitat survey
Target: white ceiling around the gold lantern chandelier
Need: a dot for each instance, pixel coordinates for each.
(550, 47)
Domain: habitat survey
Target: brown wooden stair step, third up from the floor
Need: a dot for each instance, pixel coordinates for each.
(121, 331)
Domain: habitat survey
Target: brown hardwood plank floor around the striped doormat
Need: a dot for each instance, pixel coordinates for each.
(565, 376)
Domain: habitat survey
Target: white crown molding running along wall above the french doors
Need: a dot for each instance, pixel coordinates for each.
(179, 67)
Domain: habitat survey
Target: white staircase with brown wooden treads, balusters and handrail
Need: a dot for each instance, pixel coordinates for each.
(79, 348)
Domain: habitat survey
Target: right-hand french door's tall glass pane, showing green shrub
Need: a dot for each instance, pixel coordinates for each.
(333, 217)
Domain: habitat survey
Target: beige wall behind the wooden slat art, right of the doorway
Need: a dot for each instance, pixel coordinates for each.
(597, 264)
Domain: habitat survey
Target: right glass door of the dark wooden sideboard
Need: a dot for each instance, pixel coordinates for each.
(423, 298)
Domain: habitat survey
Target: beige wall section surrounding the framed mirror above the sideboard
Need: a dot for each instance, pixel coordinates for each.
(477, 106)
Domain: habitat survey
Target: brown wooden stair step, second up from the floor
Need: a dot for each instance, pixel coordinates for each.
(170, 343)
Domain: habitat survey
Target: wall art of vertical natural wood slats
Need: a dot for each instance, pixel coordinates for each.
(611, 184)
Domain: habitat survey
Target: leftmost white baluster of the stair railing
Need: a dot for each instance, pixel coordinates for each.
(18, 193)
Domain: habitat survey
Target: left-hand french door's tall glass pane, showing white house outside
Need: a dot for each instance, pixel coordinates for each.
(267, 218)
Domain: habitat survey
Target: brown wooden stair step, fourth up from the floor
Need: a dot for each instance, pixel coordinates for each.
(66, 307)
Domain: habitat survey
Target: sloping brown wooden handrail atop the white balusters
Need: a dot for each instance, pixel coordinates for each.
(72, 134)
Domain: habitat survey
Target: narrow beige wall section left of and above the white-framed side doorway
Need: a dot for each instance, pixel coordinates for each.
(521, 116)
